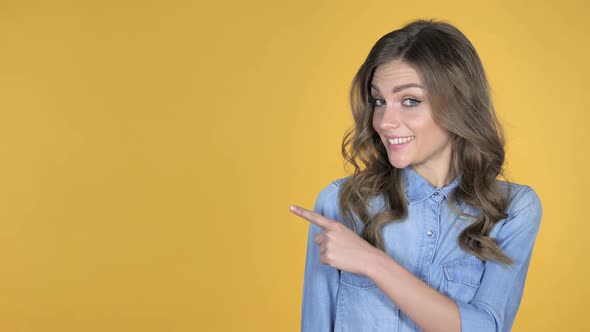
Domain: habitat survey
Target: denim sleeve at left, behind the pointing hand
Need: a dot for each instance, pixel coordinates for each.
(321, 282)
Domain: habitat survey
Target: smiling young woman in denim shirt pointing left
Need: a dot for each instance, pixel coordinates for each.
(422, 236)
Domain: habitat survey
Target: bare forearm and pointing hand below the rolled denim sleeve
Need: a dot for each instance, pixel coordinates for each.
(345, 250)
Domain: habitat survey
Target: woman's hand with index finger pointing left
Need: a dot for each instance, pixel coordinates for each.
(340, 247)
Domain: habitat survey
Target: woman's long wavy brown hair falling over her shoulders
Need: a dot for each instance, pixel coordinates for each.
(458, 91)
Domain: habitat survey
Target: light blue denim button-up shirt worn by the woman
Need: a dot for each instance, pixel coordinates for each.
(425, 243)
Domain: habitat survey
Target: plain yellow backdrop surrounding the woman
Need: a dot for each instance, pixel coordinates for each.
(150, 149)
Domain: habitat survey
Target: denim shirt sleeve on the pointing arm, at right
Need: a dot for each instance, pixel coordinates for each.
(494, 306)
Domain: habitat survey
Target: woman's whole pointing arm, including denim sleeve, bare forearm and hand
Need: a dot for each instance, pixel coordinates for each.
(496, 301)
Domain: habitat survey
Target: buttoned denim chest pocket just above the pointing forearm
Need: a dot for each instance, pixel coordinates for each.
(463, 277)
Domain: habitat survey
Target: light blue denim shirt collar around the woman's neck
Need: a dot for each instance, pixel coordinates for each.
(418, 189)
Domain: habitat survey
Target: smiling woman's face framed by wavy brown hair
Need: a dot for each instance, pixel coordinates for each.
(403, 119)
